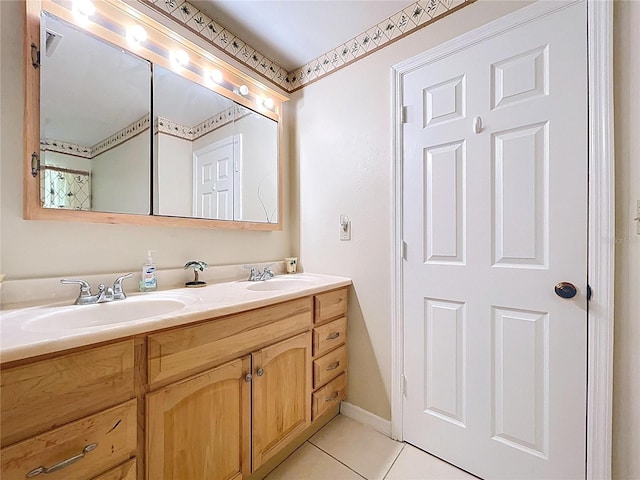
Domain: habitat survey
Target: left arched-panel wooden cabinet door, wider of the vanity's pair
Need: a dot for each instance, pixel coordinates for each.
(199, 428)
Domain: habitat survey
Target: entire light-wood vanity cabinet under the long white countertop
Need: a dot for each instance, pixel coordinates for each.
(227, 398)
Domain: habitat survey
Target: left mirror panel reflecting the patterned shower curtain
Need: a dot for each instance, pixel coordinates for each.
(95, 106)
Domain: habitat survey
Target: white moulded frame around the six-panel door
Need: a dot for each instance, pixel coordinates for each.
(601, 191)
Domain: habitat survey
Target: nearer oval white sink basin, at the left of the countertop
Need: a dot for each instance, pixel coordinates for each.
(72, 317)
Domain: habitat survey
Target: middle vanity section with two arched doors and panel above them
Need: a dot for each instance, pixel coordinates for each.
(225, 422)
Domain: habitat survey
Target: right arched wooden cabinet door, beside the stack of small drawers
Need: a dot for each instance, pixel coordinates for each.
(281, 395)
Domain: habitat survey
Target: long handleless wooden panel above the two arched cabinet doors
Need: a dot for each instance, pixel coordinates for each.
(190, 350)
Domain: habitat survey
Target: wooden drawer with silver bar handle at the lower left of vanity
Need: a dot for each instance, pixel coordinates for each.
(113, 431)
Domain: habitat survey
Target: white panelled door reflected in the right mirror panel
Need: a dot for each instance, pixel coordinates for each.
(216, 179)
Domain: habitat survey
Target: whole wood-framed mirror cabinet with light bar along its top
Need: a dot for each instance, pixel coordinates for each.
(126, 135)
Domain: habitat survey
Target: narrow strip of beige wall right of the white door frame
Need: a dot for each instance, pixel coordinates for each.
(626, 375)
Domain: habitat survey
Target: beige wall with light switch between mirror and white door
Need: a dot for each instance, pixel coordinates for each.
(343, 152)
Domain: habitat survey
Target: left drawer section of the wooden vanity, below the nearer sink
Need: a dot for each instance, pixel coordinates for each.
(59, 407)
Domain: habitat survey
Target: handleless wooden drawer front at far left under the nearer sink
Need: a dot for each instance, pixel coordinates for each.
(46, 394)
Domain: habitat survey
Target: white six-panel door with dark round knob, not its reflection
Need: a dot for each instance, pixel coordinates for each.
(494, 216)
